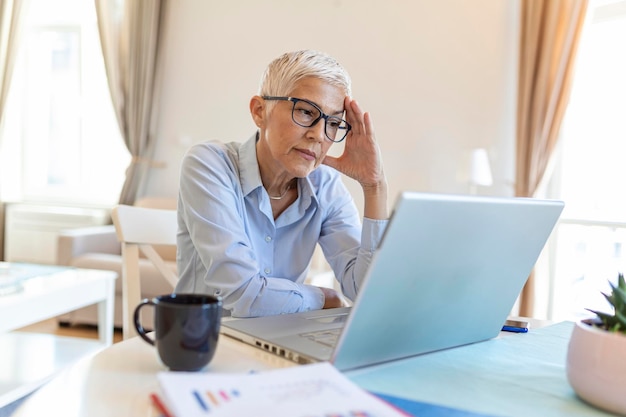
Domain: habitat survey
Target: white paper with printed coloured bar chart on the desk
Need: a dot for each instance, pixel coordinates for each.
(316, 390)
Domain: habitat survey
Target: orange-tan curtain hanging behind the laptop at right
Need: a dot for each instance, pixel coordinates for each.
(550, 31)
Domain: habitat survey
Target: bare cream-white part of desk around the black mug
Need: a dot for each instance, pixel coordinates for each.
(118, 380)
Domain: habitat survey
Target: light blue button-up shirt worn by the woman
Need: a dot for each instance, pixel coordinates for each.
(229, 244)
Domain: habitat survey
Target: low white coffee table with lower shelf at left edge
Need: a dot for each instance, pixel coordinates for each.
(31, 359)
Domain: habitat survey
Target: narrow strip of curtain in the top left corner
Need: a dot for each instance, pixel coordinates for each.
(10, 29)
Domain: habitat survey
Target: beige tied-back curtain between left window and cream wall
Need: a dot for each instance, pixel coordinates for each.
(130, 36)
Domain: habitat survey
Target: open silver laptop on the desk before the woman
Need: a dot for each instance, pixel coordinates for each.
(447, 273)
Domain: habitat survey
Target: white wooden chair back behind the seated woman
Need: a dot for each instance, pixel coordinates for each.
(139, 229)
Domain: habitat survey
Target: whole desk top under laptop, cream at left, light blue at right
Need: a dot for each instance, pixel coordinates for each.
(517, 375)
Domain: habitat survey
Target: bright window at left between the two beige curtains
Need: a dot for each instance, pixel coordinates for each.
(61, 141)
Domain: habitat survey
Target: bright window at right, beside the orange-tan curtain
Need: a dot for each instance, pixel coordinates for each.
(590, 241)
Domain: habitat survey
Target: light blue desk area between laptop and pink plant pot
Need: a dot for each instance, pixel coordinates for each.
(521, 375)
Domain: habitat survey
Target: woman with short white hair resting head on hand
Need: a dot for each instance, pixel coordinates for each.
(250, 214)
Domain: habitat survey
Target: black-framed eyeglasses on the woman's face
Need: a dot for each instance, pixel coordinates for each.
(306, 114)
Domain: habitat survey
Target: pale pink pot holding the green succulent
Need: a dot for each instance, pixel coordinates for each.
(596, 367)
